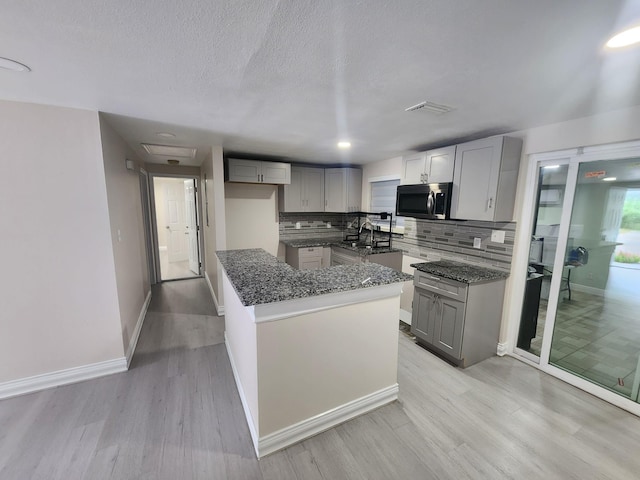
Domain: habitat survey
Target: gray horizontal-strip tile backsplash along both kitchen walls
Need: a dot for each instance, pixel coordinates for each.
(426, 239)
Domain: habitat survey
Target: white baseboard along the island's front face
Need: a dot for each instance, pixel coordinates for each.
(312, 426)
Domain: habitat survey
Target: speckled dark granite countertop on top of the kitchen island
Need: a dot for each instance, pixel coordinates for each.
(259, 277)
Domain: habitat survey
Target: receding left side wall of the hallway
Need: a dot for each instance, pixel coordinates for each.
(125, 214)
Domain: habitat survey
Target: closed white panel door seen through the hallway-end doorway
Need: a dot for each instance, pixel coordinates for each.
(177, 245)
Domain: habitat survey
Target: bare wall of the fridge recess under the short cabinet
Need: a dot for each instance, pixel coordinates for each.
(251, 212)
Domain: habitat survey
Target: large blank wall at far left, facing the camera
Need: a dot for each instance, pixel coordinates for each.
(58, 296)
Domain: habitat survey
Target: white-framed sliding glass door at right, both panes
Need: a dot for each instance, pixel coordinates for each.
(580, 315)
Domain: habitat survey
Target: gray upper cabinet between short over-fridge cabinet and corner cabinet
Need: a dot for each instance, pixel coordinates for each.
(305, 193)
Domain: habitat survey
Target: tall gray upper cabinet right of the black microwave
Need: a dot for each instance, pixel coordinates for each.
(484, 180)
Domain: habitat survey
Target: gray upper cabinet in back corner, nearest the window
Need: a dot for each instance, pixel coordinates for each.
(343, 189)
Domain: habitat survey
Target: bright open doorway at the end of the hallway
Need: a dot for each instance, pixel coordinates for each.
(177, 227)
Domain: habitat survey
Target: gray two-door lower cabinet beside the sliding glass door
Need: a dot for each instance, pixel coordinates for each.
(457, 320)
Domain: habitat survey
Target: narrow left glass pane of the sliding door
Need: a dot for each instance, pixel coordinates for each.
(552, 180)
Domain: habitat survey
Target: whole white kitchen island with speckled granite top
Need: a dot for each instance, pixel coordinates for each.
(309, 348)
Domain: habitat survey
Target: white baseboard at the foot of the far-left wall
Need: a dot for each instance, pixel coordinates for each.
(36, 383)
